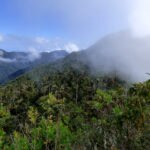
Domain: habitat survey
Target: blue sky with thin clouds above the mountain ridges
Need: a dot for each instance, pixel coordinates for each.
(59, 24)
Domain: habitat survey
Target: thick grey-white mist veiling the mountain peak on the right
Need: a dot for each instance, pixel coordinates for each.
(121, 53)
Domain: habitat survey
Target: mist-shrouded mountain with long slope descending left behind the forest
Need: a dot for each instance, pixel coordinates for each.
(118, 54)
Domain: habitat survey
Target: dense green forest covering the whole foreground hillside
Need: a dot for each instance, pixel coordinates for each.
(71, 109)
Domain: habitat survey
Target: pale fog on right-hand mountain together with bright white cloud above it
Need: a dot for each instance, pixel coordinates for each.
(126, 53)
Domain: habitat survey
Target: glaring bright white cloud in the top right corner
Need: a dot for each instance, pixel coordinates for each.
(139, 18)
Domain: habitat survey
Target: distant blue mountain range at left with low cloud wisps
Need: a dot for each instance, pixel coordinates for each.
(13, 64)
